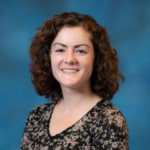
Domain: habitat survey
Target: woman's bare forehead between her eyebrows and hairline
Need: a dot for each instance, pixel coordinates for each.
(74, 35)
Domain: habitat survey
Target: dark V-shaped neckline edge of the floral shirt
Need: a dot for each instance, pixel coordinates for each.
(65, 130)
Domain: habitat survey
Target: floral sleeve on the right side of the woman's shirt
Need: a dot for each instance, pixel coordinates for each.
(111, 133)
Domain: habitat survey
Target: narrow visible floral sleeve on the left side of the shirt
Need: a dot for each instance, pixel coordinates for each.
(27, 141)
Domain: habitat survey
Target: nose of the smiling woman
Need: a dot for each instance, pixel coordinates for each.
(70, 57)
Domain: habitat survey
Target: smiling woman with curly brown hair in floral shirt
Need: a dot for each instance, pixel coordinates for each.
(74, 65)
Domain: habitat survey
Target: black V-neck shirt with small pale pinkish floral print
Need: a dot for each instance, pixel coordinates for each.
(101, 128)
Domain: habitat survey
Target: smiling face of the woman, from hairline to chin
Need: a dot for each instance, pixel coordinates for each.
(72, 57)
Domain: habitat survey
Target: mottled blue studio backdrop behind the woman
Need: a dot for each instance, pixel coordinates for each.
(128, 26)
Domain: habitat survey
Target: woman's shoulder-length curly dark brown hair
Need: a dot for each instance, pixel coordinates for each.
(105, 75)
